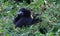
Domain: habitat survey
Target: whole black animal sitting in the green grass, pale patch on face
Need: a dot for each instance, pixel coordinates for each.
(24, 18)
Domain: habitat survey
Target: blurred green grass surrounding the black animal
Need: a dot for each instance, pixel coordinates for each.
(50, 17)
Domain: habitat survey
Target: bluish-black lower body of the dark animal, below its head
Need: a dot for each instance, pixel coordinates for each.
(24, 22)
